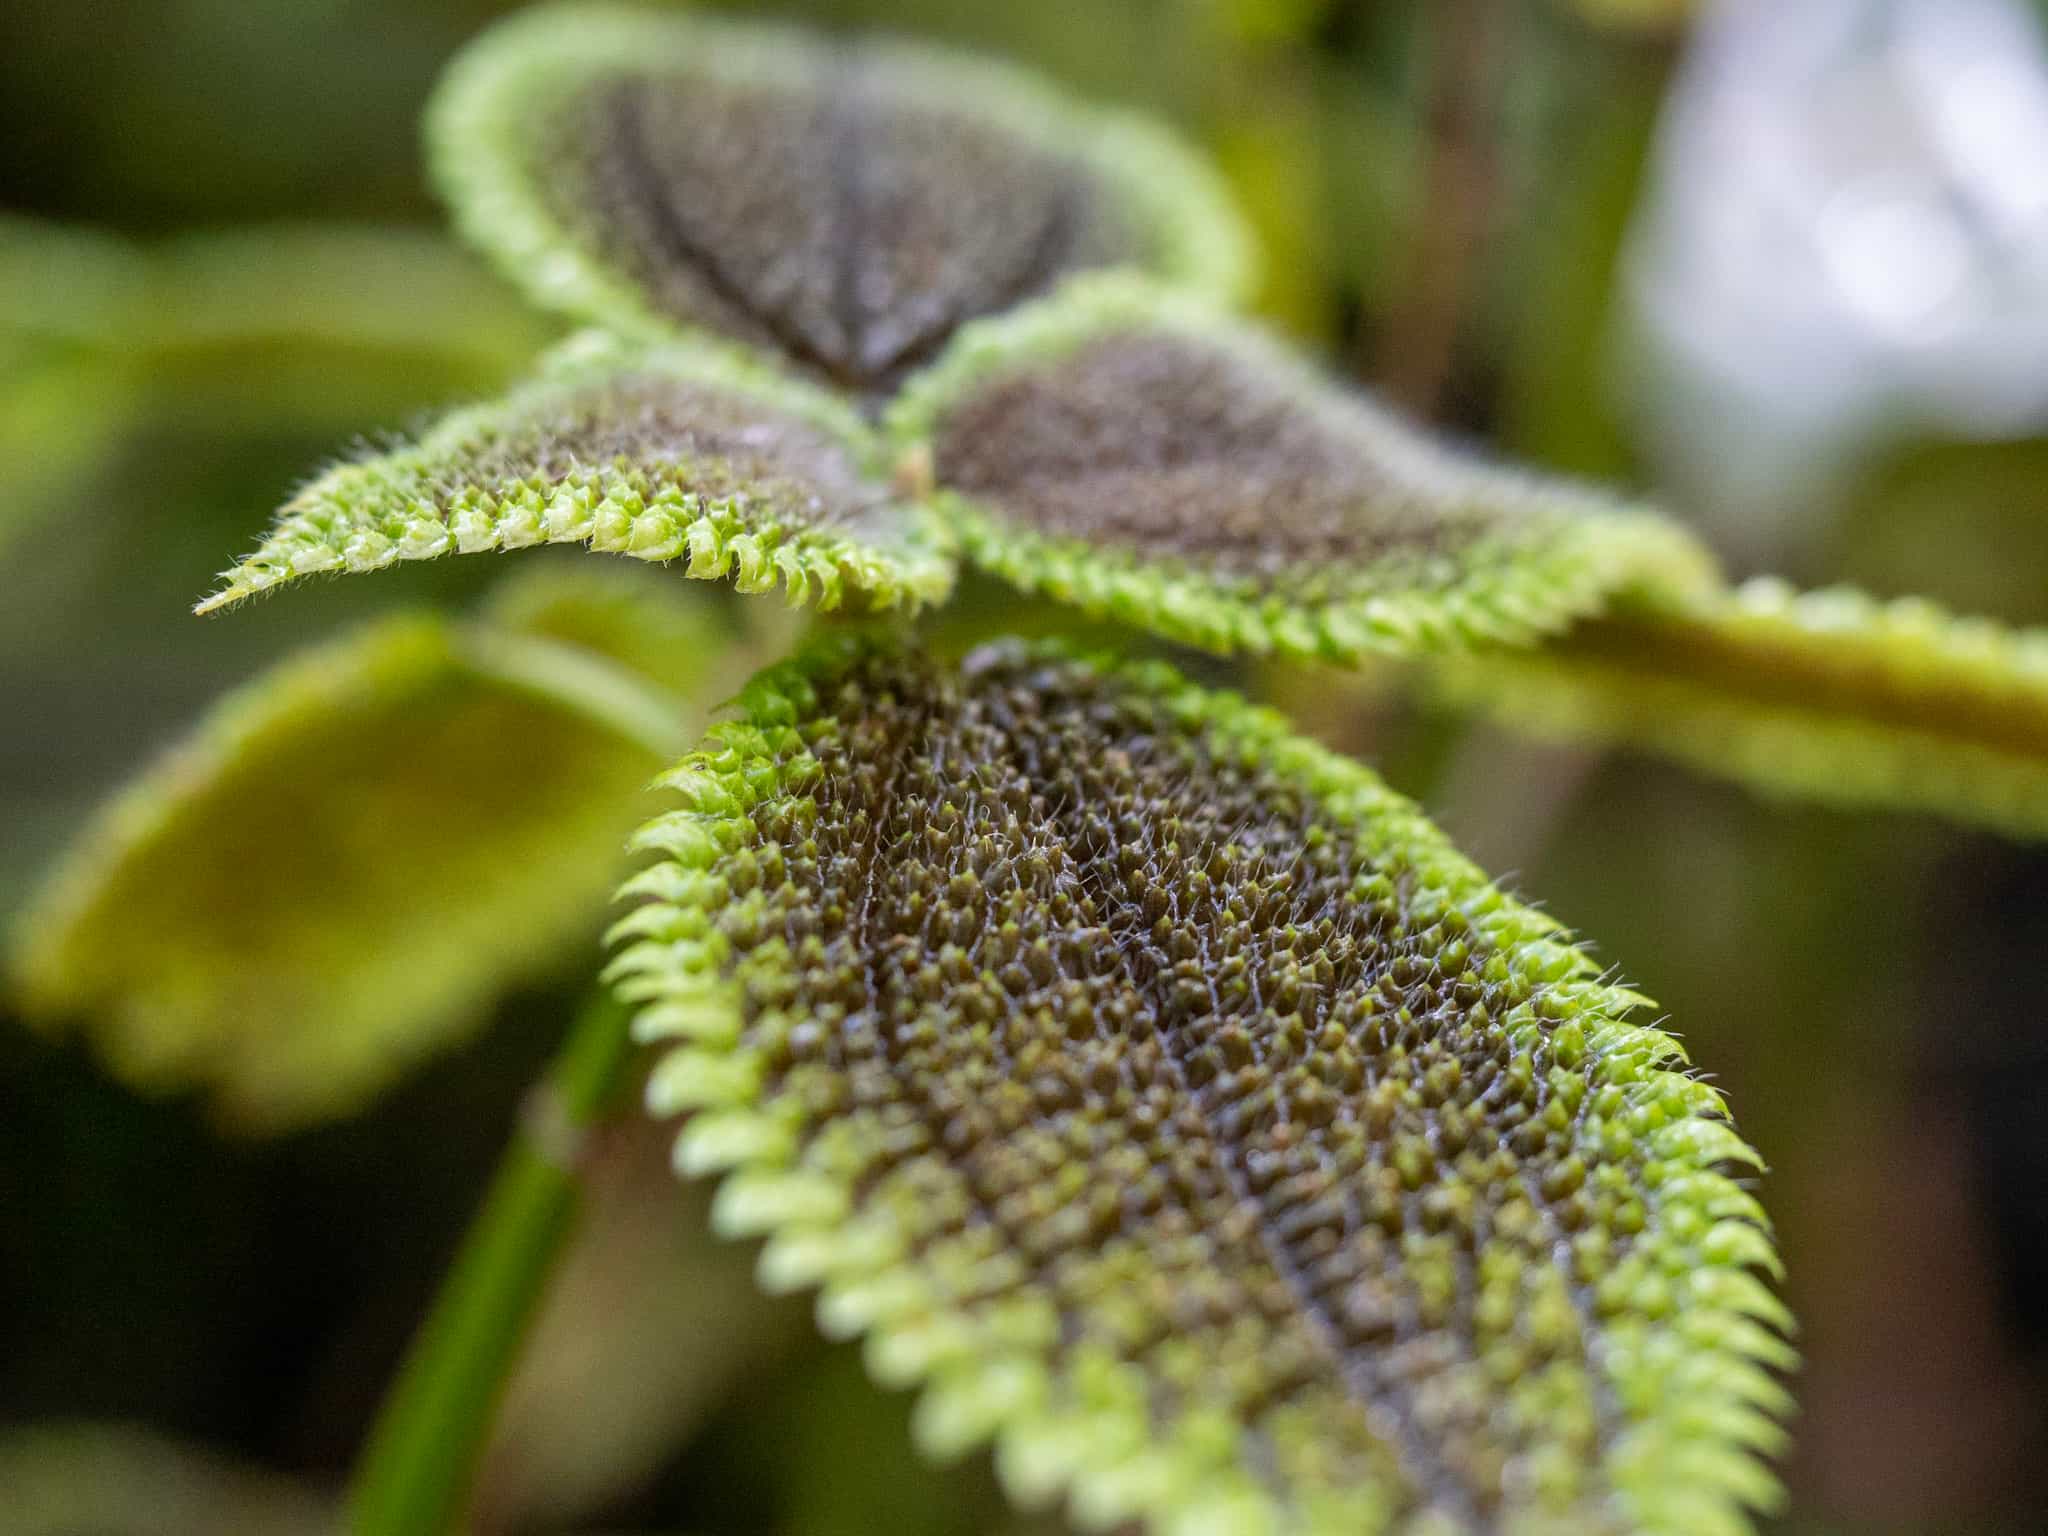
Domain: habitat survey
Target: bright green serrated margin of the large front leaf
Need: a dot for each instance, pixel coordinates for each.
(1711, 1367)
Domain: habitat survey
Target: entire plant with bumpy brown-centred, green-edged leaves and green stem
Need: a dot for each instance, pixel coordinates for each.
(1154, 1089)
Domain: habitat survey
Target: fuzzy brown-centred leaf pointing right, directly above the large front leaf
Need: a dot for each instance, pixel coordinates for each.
(1132, 454)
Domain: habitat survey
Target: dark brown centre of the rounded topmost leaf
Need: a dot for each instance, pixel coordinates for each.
(835, 222)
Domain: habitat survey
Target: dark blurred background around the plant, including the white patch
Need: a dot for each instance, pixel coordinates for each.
(1787, 267)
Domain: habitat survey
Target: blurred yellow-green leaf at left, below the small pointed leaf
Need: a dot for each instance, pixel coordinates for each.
(351, 857)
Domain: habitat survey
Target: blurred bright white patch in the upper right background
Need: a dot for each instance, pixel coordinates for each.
(1844, 243)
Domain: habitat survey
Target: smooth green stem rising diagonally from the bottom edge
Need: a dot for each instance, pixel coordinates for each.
(423, 1453)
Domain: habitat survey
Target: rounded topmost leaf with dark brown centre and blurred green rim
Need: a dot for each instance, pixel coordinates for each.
(839, 206)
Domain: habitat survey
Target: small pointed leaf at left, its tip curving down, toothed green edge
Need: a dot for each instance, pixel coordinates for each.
(656, 454)
